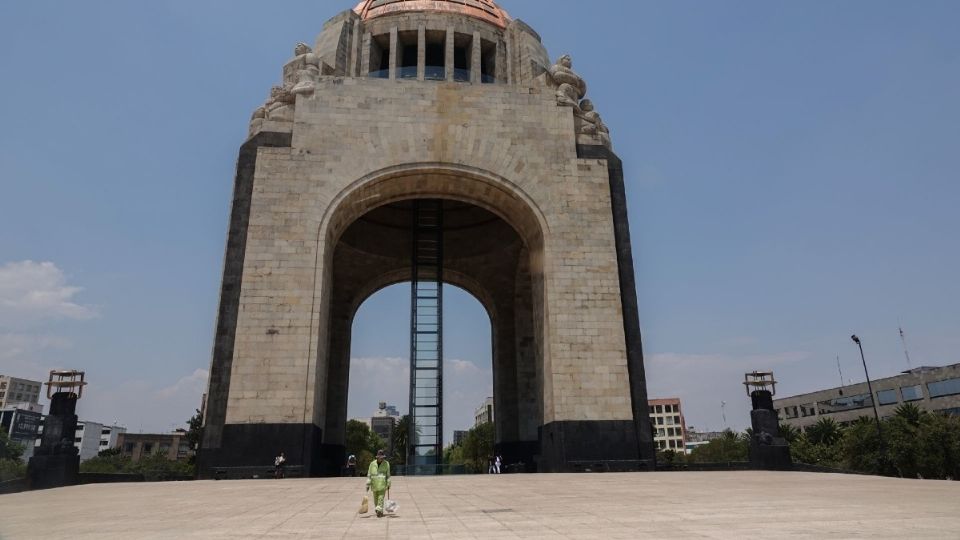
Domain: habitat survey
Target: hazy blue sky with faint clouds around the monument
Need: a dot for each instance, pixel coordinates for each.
(791, 174)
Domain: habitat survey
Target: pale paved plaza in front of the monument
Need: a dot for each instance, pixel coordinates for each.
(659, 505)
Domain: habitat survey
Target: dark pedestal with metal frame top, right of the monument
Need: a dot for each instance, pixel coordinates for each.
(768, 449)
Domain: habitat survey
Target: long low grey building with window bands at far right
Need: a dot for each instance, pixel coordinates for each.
(935, 389)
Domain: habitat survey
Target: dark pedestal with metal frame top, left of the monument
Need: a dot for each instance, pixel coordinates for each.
(56, 462)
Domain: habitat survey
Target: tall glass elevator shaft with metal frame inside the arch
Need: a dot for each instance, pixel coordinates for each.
(426, 337)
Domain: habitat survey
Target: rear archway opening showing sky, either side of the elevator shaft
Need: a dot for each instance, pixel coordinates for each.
(378, 392)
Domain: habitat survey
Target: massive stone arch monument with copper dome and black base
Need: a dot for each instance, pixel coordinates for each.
(451, 110)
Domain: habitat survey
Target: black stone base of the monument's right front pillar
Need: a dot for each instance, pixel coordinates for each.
(591, 446)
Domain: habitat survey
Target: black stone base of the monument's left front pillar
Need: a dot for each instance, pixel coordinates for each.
(253, 447)
